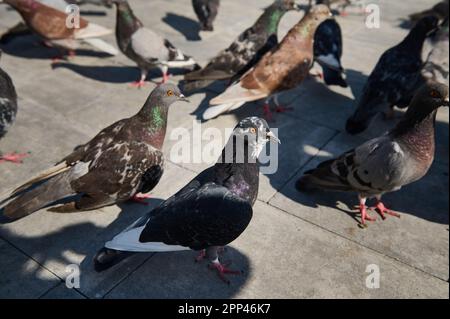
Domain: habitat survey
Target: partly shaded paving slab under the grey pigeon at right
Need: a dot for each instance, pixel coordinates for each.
(422, 228)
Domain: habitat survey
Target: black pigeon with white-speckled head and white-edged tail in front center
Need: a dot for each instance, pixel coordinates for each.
(210, 212)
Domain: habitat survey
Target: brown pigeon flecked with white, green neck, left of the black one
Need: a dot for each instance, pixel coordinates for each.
(122, 161)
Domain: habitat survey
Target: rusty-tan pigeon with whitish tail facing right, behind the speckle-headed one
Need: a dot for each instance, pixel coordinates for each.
(282, 68)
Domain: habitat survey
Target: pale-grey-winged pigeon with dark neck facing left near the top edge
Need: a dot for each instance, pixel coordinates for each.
(145, 47)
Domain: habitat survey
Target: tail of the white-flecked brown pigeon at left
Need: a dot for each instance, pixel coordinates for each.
(42, 195)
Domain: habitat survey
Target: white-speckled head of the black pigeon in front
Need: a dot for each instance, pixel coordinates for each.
(253, 133)
